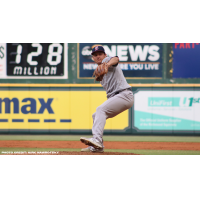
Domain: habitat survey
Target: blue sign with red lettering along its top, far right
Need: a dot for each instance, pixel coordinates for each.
(186, 60)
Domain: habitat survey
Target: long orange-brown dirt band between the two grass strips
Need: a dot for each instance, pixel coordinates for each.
(195, 146)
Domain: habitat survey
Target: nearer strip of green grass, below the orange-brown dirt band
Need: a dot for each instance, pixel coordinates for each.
(142, 152)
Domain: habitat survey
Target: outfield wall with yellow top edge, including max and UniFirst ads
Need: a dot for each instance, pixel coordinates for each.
(163, 109)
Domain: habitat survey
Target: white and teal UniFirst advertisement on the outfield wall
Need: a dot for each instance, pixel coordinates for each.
(167, 110)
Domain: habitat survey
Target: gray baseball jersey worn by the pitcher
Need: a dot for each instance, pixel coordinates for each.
(114, 81)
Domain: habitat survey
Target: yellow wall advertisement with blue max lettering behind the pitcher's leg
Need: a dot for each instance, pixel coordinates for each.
(51, 110)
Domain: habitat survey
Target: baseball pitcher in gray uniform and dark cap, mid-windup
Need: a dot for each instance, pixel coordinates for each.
(119, 96)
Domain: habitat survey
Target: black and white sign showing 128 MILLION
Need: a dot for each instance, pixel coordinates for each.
(34, 60)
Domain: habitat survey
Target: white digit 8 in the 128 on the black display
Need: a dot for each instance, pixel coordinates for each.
(56, 54)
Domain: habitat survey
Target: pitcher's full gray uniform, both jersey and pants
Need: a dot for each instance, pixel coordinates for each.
(120, 98)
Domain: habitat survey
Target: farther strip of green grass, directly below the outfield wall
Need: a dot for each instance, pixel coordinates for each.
(106, 138)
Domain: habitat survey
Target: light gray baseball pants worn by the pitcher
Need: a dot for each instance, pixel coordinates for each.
(109, 109)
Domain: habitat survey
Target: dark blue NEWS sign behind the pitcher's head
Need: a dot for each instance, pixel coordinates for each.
(137, 60)
